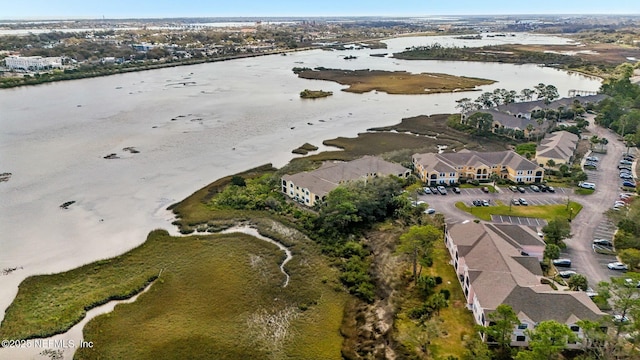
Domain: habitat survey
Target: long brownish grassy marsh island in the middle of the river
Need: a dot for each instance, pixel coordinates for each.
(393, 82)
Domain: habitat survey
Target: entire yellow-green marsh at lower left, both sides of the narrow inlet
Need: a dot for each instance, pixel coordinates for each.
(207, 302)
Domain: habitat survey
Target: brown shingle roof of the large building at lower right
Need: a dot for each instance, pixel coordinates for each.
(500, 275)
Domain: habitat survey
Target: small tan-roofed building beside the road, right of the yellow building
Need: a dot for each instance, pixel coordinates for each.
(558, 146)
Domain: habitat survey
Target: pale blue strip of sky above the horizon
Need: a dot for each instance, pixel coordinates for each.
(68, 9)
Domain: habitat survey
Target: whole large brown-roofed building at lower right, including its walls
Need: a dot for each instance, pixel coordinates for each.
(500, 264)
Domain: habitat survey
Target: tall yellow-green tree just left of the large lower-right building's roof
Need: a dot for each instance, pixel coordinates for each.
(417, 243)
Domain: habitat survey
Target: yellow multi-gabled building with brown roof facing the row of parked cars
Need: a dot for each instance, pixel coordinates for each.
(449, 168)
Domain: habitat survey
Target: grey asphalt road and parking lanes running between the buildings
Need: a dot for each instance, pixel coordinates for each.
(589, 224)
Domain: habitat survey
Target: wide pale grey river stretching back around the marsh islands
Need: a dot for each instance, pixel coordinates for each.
(191, 125)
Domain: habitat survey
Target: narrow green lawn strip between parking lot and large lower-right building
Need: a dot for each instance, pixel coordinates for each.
(547, 212)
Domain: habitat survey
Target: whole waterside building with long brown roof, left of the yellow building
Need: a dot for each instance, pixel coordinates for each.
(308, 188)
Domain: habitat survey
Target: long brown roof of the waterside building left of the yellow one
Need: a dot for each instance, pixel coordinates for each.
(326, 178)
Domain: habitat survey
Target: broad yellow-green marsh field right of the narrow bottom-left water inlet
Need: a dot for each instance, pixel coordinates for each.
(209, 301)
